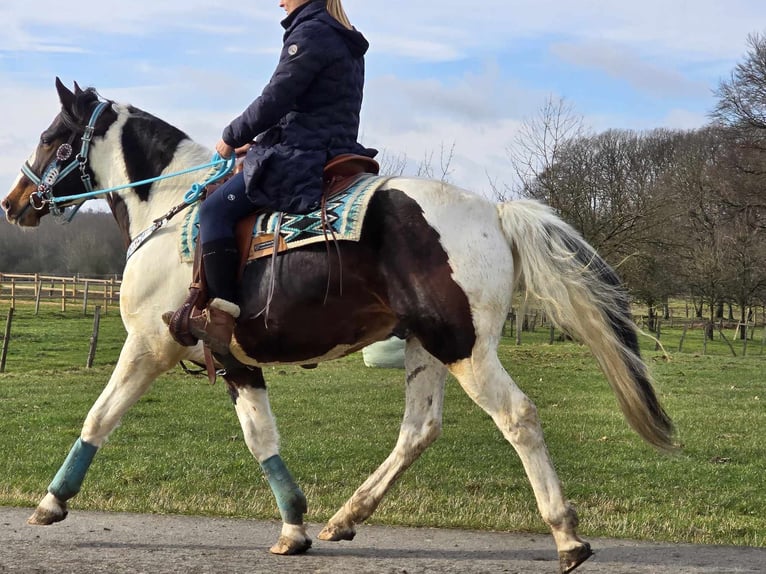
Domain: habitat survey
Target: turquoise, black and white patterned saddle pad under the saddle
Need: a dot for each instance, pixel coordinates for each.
(345, 215)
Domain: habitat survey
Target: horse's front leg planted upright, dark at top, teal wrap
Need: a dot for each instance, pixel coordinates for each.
(251, 402)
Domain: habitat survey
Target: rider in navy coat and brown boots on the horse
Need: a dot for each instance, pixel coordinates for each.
(306, 115)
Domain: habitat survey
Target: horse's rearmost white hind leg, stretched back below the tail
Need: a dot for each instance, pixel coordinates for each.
(489, 385)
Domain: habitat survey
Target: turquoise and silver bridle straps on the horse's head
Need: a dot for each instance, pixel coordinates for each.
(56, 170)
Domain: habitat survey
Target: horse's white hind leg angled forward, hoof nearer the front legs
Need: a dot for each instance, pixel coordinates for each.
(420, 427)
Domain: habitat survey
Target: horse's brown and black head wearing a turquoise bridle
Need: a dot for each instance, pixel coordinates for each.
(59, 166)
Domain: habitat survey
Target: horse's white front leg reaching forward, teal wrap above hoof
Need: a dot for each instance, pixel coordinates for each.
(140, 362)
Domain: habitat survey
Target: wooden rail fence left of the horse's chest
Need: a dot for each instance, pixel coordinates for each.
(63, 291)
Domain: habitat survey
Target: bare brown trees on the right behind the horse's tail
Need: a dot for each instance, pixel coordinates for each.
(677, 212)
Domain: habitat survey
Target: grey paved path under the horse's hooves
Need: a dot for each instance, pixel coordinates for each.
(120, 543)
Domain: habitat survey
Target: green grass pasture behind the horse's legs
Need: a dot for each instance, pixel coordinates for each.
(180, 449)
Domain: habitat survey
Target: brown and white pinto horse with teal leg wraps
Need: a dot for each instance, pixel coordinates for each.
(434, 263)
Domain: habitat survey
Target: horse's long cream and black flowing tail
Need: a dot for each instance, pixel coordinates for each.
(584, 298)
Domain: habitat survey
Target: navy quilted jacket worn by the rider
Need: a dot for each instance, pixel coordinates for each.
(307, 114)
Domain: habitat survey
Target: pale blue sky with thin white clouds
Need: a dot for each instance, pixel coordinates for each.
(449, 84)
